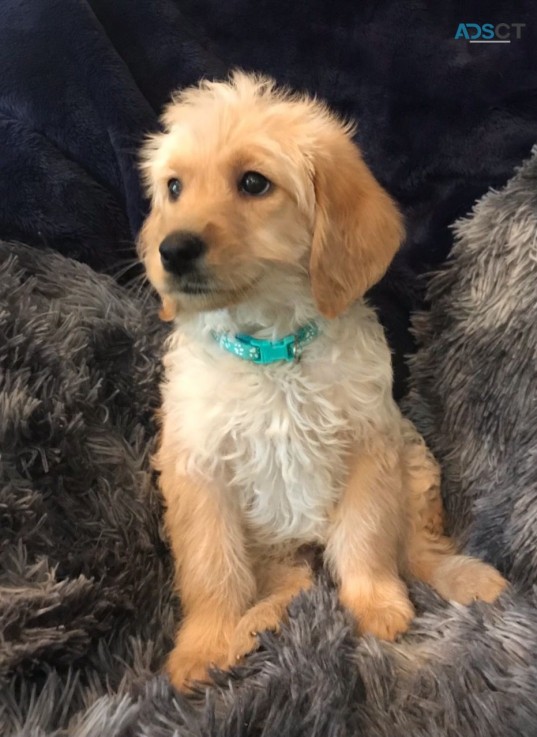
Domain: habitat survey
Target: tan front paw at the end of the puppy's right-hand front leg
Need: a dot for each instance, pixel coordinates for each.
(381, 608)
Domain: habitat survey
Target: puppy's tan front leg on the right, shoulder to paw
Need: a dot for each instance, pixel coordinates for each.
(365, 540)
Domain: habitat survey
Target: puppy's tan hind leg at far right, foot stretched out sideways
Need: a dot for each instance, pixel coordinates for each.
(431, 555)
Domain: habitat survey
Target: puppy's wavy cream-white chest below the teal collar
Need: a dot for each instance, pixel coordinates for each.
(278, 439)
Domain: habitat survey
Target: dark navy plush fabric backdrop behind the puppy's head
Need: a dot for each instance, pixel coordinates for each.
(81, 81)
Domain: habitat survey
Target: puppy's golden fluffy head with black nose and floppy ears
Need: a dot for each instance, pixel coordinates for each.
(246, 181)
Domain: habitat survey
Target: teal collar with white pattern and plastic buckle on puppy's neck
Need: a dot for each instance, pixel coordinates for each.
(262, 351)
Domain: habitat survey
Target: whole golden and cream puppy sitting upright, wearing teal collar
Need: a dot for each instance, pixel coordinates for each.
(278, 425)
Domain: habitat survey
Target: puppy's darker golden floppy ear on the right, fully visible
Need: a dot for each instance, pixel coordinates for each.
(357, 229)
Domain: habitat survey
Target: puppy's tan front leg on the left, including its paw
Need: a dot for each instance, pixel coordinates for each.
(216, 583)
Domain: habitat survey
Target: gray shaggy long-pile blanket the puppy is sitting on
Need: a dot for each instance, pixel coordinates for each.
(86, 605)
